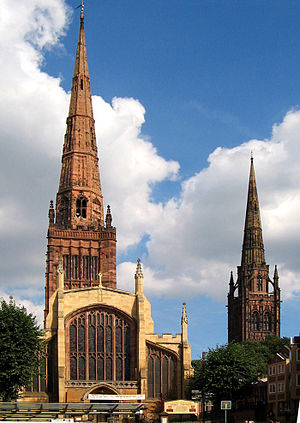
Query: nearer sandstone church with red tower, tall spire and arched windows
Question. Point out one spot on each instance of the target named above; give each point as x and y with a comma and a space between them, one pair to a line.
100, 339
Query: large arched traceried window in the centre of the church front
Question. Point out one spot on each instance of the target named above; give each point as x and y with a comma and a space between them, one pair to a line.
101, 343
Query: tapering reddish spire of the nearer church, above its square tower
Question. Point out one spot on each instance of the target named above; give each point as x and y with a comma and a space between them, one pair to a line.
79, 198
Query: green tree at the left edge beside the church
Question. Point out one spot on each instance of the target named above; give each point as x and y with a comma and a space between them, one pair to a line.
20, 343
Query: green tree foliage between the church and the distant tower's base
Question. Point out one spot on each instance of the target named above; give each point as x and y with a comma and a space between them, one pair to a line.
229, 370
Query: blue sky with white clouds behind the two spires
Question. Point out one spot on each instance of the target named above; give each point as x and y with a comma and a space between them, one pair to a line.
198, 85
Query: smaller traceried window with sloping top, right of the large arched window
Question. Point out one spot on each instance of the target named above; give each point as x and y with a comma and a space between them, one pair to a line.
162, 368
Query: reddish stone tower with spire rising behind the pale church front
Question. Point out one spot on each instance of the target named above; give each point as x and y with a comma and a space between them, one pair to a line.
77, 230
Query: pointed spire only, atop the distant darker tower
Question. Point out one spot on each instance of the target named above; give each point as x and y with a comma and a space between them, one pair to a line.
253, 247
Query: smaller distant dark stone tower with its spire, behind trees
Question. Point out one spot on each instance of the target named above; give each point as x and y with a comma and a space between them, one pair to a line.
254, 299
